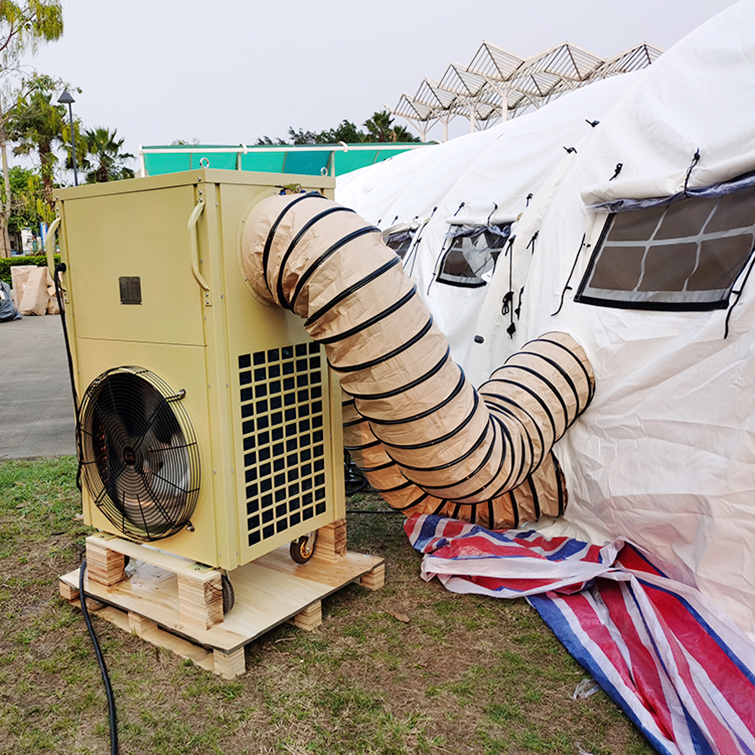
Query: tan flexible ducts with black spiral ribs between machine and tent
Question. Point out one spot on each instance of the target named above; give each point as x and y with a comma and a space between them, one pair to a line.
426, 439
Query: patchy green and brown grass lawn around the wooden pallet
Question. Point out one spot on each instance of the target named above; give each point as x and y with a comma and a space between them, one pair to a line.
451, 674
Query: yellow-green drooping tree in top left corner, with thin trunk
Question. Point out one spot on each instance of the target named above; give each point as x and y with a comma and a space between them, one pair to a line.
23, 25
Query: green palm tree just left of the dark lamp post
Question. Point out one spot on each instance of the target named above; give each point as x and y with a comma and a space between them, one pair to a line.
36, 126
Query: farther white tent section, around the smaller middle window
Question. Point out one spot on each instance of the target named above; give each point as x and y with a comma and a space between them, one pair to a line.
480, 180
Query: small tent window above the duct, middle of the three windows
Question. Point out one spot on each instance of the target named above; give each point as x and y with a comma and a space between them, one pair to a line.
472, 253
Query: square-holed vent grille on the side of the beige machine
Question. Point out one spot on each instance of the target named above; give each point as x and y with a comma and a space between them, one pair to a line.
283, 435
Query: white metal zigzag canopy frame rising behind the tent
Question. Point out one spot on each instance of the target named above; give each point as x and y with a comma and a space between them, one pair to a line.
500, 85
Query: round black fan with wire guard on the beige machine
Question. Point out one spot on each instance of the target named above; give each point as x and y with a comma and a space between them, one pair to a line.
139, 453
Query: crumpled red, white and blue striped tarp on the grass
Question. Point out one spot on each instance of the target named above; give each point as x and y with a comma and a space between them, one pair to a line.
682, 672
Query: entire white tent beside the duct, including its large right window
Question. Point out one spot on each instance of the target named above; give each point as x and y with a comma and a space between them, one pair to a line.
665, 455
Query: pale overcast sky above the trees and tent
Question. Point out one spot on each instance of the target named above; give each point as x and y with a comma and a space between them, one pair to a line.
228, 71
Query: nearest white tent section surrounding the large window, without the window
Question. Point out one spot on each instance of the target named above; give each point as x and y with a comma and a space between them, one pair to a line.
664, 456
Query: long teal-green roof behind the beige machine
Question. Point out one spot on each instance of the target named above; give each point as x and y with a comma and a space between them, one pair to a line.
301, 159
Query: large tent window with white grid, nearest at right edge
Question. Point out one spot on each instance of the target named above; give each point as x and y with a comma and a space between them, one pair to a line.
683, 255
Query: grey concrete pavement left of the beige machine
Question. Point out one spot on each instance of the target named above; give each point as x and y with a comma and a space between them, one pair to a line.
36, 408
